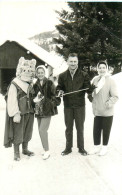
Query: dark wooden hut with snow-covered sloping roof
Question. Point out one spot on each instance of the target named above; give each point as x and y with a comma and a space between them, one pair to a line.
12, 50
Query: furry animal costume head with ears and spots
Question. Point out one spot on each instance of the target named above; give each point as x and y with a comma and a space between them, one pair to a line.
26, 69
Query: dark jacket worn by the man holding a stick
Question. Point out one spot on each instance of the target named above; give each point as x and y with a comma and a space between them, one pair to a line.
80, 81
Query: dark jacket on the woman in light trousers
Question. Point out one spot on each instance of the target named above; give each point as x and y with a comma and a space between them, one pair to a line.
50, 102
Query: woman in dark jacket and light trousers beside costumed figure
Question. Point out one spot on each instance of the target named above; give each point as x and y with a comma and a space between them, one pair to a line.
46, 107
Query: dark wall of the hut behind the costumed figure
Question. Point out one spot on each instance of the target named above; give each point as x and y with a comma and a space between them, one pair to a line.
10, 53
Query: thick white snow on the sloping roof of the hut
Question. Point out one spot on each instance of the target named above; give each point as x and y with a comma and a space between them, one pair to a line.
39, 52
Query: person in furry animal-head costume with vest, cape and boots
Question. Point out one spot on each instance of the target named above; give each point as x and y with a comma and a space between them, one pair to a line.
20, 108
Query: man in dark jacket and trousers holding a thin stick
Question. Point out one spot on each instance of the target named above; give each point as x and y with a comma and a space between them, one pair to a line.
72, 80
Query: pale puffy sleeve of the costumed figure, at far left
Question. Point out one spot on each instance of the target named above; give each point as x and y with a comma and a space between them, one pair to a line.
12, 102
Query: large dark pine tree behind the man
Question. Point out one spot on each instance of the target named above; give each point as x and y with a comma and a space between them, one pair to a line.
93, 30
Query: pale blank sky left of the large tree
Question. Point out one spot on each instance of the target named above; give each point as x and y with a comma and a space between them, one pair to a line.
28, 18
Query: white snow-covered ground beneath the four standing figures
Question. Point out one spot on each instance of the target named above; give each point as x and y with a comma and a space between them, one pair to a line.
68, 175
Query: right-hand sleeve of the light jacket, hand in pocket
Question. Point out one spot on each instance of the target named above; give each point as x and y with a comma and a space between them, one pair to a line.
113, 95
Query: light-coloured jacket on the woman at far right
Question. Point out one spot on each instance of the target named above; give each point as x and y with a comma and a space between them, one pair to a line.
104, 100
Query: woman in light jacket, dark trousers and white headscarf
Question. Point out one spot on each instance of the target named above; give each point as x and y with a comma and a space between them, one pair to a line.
104, 97
